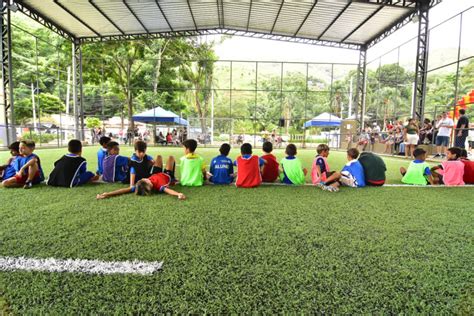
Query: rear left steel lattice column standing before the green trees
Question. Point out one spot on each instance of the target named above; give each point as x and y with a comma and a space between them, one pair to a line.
77, 88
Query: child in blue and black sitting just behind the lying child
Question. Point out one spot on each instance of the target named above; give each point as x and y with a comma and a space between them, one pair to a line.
140, 164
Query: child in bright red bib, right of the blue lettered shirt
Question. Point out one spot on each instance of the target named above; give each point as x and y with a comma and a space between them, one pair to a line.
248, 168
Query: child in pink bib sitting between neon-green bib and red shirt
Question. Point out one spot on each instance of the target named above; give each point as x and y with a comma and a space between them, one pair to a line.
451, 171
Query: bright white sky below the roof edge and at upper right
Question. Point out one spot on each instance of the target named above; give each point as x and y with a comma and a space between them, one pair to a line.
242, 48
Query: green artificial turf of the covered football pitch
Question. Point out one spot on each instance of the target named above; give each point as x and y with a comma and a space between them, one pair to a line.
272, 249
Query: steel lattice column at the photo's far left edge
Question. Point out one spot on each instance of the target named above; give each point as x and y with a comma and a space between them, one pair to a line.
7, 116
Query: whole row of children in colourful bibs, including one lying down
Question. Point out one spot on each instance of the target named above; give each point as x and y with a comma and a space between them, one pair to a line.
146, 175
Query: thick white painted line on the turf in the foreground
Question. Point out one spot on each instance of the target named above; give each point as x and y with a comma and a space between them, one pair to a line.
79, 265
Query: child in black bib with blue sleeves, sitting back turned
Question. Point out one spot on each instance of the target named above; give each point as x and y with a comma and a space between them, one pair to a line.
71, 169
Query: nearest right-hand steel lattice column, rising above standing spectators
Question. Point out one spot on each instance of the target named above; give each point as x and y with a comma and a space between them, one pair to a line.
423, 8
